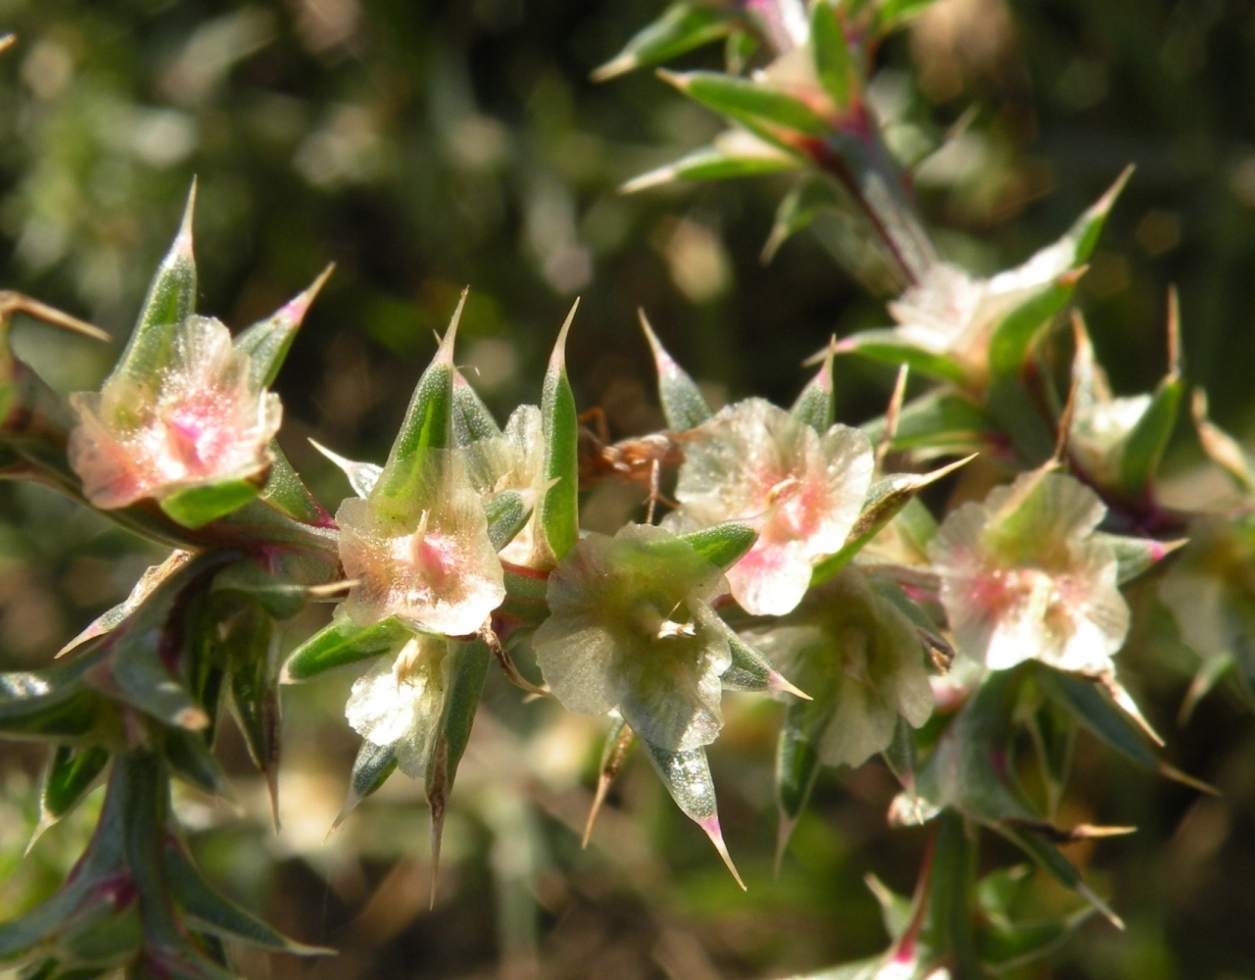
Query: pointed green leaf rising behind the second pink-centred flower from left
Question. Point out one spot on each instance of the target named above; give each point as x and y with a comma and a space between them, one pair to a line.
429, 426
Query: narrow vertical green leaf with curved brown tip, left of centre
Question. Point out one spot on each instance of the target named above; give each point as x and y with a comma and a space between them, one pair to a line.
560, 504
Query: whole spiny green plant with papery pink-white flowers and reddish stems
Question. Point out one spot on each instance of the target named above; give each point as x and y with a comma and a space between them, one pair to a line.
791, 555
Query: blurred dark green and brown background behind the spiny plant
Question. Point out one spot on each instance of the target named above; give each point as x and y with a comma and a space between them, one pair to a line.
427, 146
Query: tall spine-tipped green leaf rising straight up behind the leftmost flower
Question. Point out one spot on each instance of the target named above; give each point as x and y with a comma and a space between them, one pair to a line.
171, 299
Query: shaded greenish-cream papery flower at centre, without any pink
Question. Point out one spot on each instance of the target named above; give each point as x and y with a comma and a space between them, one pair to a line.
632, 628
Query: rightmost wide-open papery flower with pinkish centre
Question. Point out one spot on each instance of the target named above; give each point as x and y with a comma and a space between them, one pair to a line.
1023, 578
